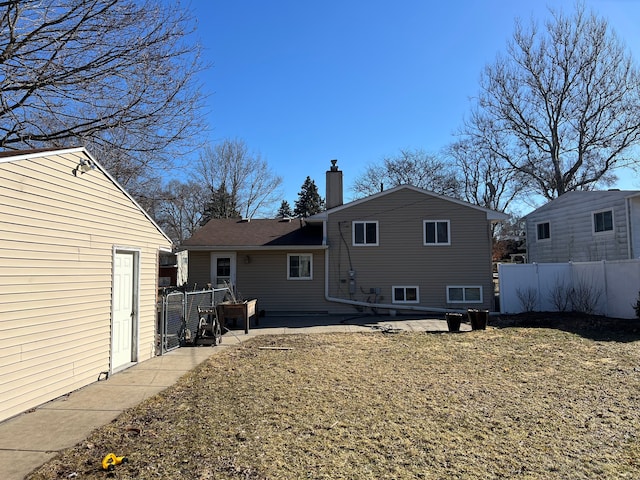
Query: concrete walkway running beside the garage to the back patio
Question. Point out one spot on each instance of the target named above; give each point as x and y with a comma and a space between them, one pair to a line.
29, 440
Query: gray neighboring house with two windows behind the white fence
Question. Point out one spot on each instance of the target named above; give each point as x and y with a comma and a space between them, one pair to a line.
584, 227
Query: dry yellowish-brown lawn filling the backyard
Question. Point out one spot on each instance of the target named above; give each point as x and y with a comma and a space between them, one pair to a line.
525, 403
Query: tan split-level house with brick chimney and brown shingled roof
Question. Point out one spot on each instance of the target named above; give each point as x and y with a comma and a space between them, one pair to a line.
401, 249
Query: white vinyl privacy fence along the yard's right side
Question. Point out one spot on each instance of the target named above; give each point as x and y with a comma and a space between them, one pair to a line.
607, 288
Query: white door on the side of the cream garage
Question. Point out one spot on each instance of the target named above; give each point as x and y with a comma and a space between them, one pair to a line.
123, 309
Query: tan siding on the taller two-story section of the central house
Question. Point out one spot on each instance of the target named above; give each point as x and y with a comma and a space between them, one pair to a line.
402, 259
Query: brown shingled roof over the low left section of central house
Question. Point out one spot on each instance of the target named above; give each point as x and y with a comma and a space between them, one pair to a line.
225, 232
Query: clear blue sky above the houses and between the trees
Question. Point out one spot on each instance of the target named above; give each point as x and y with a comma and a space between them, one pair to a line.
303, 82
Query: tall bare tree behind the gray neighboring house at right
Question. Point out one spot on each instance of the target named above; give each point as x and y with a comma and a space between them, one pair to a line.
561, 107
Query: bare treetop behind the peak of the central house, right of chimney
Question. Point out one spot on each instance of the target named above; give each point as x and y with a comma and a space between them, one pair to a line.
409, 167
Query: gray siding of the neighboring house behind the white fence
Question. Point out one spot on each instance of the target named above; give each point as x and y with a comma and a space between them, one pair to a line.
571, 230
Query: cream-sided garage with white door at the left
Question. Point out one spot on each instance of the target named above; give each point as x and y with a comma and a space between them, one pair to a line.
78, 276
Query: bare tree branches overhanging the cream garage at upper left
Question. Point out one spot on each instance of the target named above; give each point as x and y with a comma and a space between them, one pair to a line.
117, 76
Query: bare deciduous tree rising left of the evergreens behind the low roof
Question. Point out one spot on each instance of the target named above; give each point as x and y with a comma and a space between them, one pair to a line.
244, 179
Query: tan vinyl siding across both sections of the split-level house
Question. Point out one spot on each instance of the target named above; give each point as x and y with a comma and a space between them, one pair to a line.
400, 259
